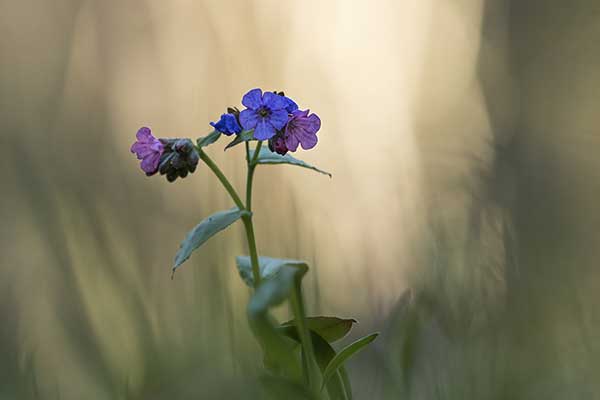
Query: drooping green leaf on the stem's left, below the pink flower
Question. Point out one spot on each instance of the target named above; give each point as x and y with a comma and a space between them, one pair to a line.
204, 231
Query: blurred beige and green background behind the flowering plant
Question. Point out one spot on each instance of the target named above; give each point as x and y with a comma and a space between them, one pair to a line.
461, 220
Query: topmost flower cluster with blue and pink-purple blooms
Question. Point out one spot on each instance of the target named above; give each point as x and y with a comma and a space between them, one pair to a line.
273, 117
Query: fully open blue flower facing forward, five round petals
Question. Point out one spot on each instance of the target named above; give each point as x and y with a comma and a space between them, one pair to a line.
265, 113
